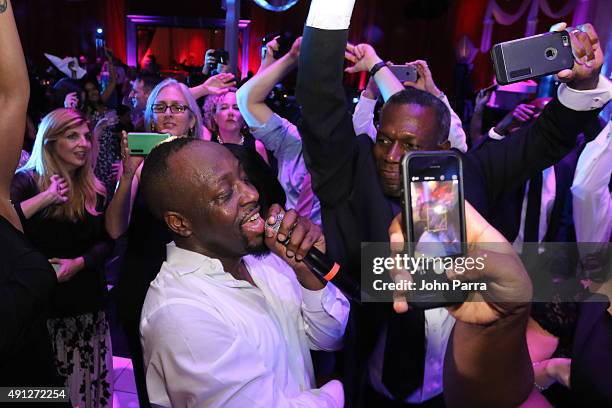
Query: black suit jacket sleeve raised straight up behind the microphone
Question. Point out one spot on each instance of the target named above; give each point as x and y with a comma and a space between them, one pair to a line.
326, 127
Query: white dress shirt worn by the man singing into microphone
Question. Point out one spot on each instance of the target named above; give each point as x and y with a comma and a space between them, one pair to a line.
210, 340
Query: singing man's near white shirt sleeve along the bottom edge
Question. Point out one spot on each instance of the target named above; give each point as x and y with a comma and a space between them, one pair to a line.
211, 366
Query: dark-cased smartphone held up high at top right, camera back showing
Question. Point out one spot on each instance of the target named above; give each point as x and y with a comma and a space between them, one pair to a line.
532, 57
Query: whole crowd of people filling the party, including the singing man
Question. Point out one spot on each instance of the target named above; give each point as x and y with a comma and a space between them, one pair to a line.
211, 230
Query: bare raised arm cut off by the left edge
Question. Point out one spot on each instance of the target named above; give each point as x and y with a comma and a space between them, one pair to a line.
14, 95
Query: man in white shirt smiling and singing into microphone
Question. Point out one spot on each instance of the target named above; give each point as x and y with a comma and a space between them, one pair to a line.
231, 317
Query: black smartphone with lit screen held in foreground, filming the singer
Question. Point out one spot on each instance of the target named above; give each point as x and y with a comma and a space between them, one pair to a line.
434, 215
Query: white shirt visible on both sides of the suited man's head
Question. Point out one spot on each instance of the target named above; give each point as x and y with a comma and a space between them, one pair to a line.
363, 122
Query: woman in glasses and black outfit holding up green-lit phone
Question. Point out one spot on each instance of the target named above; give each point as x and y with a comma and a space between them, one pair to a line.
171, 109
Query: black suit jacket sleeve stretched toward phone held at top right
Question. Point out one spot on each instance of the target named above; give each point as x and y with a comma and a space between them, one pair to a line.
509, 163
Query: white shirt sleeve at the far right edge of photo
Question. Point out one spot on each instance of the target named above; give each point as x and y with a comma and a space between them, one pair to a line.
592, 204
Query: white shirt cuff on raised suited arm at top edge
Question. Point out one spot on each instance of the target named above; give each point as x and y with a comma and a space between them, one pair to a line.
330, 14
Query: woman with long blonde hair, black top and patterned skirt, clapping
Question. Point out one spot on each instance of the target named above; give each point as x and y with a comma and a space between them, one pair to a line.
59, 202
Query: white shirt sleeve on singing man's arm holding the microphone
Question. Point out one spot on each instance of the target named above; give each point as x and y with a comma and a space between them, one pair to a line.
325, 313
